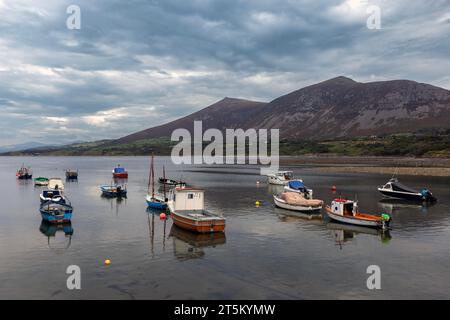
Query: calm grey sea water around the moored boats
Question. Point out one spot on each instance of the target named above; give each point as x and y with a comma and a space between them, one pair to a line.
264, 254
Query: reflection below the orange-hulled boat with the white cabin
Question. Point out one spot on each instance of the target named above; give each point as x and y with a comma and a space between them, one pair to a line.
188, 245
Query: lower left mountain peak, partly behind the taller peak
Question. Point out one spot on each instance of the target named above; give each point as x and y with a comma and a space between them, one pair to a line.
227, 113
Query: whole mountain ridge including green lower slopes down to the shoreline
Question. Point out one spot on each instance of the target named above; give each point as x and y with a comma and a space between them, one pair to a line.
338, 116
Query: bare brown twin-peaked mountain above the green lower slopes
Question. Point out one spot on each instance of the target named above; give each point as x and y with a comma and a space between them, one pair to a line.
336, 108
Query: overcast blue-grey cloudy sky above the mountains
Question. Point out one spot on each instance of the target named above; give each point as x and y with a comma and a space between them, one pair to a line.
136, 64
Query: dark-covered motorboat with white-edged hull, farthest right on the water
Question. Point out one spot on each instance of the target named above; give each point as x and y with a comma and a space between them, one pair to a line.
394, 189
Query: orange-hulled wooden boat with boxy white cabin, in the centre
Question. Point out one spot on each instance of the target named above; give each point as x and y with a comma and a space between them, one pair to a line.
188, 212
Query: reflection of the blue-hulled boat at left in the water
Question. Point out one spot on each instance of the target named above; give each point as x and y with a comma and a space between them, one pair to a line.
53, 233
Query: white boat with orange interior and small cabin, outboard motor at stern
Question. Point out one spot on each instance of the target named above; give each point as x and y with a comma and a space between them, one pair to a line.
346, 211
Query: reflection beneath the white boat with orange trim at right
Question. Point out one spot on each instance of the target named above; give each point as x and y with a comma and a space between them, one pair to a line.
343, 233
